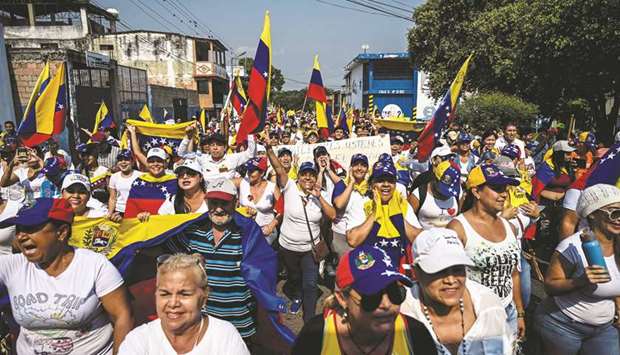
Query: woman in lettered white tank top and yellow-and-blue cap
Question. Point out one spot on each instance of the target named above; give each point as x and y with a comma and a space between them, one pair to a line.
490, 240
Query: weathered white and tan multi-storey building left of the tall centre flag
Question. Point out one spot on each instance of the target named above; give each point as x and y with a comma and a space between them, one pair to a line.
185, 73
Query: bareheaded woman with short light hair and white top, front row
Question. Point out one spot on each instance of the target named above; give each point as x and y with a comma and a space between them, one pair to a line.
181, 328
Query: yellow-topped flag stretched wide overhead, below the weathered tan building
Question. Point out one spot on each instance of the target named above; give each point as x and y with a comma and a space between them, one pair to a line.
151, 135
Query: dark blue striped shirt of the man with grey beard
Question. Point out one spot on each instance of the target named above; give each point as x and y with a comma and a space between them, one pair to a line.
229, 296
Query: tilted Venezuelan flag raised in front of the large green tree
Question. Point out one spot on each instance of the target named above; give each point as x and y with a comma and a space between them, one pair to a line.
442, 115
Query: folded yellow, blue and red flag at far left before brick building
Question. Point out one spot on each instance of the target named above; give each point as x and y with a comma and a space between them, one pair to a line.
45, 114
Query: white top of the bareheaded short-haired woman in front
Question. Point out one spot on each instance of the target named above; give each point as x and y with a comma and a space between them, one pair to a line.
221, 337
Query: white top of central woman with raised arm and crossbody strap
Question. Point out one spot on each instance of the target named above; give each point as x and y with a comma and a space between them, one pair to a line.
294, 233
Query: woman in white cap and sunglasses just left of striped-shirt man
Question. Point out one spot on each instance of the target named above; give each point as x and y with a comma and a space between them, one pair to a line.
191, 193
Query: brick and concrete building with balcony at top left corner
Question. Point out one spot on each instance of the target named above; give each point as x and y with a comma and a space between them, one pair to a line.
36, 33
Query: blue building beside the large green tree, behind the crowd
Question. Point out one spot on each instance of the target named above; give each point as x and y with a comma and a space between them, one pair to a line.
383, 79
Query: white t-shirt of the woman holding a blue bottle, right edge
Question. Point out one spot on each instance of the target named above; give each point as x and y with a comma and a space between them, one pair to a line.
590, 305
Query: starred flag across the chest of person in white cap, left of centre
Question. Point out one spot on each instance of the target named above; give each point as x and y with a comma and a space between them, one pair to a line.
148, 193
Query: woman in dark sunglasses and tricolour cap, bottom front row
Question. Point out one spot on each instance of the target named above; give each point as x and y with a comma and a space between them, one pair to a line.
362, 316
